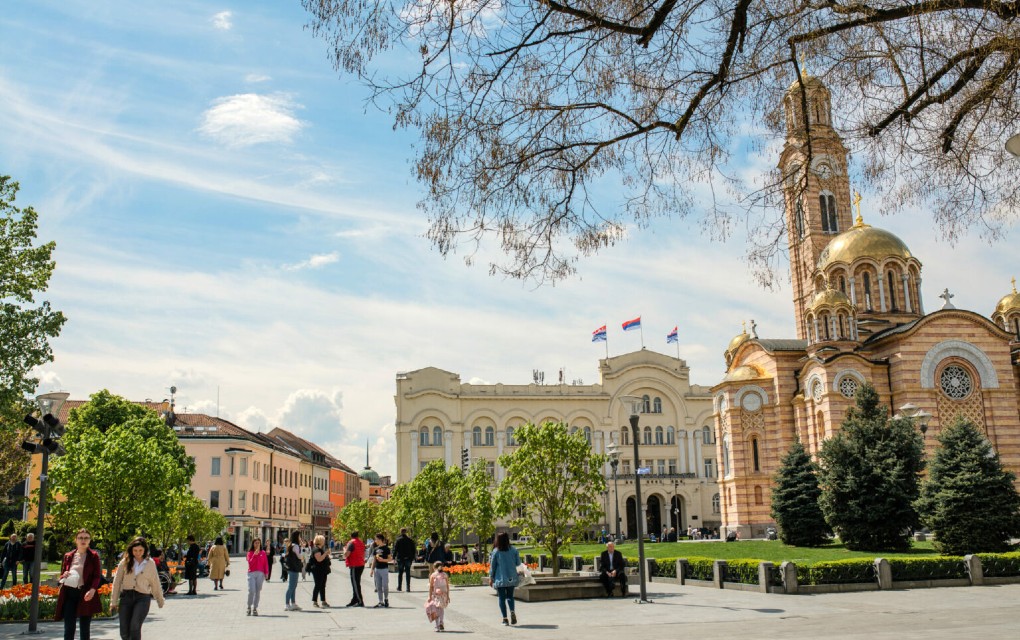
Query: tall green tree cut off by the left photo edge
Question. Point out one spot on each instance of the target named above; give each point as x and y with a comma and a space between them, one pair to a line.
26, 327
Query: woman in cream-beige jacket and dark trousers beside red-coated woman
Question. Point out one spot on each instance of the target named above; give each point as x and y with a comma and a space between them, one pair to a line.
135, 585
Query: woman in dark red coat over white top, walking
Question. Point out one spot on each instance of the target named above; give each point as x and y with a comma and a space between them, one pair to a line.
80, 576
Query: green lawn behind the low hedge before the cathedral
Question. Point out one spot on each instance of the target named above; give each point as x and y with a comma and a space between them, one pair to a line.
759, 550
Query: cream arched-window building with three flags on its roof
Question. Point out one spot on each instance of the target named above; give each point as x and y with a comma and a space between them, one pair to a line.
439, 417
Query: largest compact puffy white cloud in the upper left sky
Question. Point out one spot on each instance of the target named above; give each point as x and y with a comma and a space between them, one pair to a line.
251, 119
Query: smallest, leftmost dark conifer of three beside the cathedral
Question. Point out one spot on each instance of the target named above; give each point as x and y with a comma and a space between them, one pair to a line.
795, 501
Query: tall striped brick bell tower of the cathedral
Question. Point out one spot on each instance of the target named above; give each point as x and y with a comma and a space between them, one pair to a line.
817, 188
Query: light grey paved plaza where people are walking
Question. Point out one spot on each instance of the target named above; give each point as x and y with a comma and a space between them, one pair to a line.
962, 614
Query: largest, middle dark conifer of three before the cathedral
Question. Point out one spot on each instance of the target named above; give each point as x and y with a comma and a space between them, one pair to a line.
871, 474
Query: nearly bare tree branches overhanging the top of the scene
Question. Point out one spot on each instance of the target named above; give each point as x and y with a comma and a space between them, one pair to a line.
535, 114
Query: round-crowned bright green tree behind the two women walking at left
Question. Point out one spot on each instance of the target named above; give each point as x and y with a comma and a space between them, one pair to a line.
116, 481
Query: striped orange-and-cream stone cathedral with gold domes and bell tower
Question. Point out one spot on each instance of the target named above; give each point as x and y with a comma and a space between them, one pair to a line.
860, 319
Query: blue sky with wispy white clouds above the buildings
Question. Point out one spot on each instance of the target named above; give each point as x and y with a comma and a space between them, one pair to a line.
232, 219
